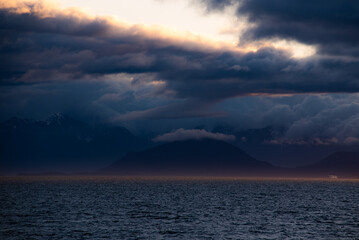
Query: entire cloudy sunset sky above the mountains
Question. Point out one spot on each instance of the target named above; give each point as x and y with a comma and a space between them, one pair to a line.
167, 67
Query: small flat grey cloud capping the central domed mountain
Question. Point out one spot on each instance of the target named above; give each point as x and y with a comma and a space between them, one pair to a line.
190, 134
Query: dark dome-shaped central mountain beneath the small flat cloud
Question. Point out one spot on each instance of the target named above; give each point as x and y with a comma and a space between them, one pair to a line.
191, 157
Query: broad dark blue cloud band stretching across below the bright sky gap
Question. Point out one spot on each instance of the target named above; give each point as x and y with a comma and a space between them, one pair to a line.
66, 47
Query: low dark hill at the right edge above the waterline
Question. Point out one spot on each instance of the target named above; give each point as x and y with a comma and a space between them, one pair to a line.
341, 164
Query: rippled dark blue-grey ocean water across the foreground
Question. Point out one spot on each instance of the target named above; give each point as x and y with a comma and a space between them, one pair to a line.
178, 209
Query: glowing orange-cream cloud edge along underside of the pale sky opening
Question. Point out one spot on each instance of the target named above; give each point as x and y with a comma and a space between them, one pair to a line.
185, 39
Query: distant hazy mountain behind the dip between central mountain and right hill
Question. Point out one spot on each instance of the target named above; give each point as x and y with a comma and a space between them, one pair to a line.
262, 143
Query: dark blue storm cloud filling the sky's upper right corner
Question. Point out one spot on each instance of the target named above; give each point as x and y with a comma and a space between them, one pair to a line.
331, 25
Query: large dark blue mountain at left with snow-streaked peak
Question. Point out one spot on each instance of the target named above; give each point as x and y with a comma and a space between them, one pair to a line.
60, 143
